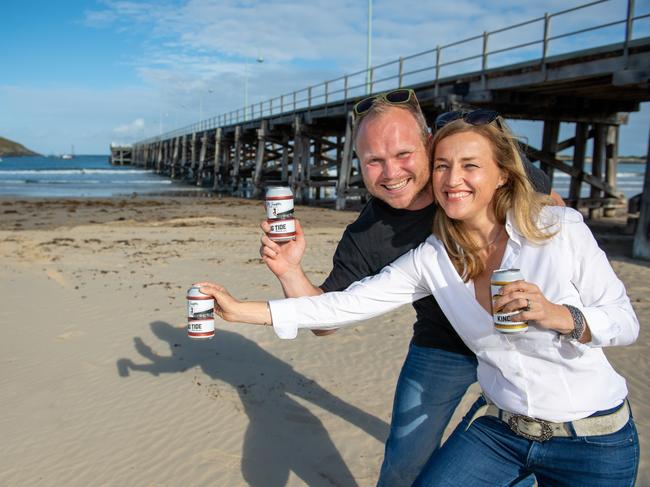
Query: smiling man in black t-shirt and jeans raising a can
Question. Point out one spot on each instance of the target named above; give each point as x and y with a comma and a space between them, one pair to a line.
391, 141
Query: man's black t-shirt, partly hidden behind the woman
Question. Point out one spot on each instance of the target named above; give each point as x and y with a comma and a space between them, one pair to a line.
379, 236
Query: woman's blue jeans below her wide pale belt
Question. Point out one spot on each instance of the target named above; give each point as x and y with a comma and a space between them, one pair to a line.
488, 453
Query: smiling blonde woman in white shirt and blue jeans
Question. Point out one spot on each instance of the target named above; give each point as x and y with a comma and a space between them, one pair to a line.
552, 405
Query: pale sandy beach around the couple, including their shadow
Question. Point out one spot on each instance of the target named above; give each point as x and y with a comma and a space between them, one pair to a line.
101, 386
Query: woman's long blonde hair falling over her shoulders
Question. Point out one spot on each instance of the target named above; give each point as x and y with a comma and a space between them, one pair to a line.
516, 194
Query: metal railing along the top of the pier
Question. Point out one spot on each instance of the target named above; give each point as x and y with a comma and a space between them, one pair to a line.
471, 55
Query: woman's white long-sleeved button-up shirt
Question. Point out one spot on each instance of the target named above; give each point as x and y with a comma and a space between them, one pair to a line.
538, 373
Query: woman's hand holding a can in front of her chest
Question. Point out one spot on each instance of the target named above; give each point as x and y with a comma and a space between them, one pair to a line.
527, 297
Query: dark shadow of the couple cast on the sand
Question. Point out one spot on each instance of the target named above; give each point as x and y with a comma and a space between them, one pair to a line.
265, 384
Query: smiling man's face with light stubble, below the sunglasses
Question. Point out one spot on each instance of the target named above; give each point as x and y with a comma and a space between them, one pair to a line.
394, 161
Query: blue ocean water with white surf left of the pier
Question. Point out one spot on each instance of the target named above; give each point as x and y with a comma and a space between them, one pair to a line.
81, 177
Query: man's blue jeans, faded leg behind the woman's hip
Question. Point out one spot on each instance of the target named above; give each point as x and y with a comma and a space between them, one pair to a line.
430, 386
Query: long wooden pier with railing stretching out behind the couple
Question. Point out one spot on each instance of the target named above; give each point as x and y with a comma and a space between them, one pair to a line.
303, 139
